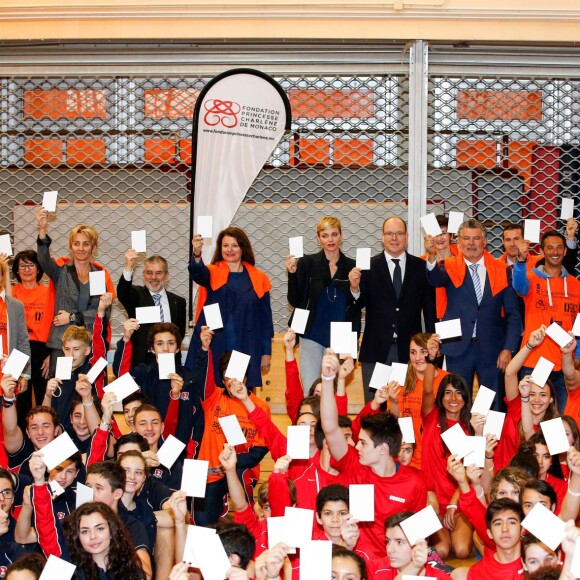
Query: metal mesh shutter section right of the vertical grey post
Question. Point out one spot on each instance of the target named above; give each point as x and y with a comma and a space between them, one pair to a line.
503, 148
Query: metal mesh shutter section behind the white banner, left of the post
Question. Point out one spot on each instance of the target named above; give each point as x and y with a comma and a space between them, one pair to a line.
118, 151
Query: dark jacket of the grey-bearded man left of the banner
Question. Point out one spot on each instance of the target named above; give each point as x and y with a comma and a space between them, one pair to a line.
131, 297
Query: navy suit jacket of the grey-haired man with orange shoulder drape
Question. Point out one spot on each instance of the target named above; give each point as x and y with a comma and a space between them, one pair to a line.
499, 323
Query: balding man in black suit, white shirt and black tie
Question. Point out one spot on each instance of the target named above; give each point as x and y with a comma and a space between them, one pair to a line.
395, 294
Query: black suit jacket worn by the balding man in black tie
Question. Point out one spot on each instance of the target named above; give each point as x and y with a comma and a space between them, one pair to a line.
386, 315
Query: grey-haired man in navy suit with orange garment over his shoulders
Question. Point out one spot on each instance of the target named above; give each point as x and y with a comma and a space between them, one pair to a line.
480, 294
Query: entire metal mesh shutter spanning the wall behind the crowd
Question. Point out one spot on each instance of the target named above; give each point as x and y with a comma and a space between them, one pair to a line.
502, 146
